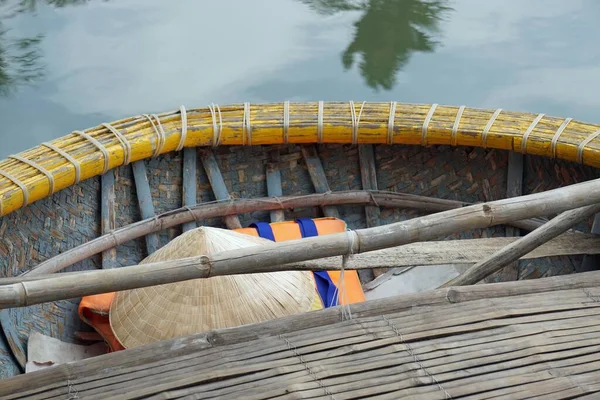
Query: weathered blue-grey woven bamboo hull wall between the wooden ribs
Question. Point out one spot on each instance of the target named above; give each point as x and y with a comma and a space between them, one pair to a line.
72, 216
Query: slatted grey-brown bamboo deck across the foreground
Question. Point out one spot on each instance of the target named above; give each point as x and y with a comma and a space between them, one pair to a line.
518, 340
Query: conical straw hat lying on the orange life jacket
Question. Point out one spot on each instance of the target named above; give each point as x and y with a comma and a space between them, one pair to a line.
149, 314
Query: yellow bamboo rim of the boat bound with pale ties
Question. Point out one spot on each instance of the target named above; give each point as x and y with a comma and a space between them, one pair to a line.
141, 137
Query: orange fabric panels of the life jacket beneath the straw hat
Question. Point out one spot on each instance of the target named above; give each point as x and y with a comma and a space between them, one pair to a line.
94, 309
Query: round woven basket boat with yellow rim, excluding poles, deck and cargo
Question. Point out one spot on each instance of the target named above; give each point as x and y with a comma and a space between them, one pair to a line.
110, 195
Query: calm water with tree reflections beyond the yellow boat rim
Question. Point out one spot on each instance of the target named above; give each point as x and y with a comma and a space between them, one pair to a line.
72, 64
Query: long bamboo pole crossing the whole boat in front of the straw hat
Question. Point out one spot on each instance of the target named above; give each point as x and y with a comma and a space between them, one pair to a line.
272, 257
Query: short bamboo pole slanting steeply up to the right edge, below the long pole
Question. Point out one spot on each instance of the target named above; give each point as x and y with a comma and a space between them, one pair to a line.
524, 245
